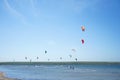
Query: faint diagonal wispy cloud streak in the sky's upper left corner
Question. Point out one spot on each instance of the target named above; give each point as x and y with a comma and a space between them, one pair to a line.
14, 12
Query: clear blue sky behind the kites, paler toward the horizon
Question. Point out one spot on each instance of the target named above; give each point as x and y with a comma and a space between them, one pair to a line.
29, 27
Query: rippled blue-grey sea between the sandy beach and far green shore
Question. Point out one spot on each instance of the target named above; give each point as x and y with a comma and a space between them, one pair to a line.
62, 71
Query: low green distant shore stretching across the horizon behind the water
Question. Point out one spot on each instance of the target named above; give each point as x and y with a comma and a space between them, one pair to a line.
56, 63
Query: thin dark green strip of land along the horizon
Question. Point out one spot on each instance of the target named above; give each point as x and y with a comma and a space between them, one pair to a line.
59, 63
